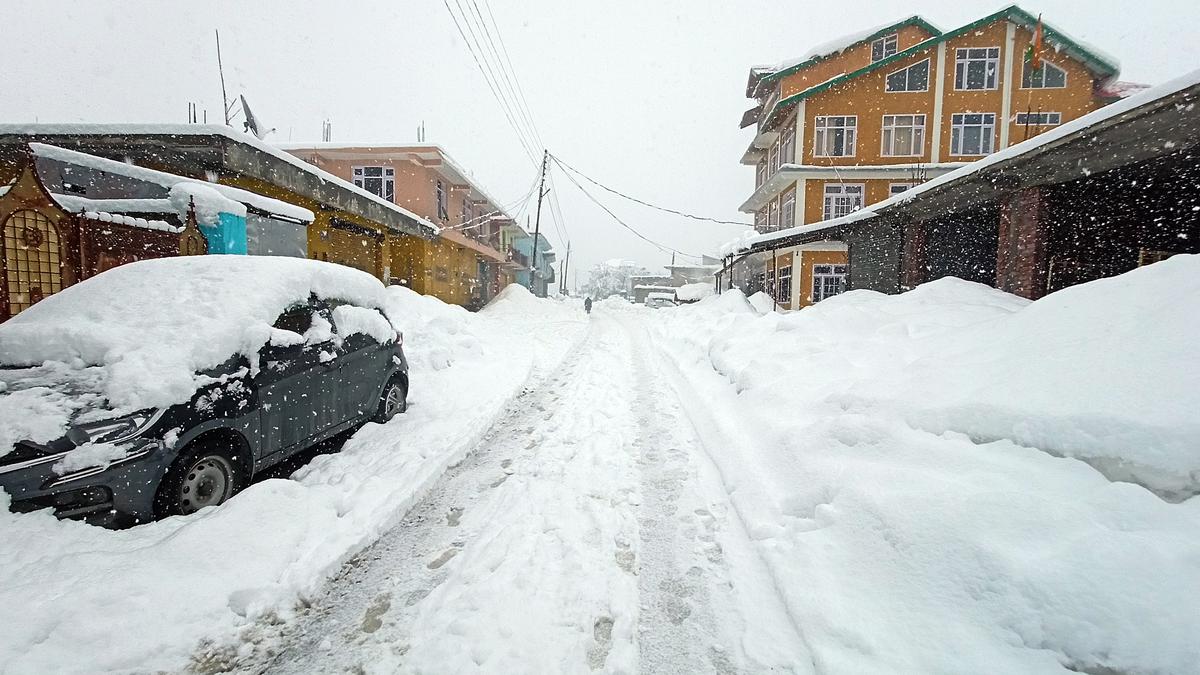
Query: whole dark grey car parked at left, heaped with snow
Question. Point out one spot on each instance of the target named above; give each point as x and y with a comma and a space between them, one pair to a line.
163, 387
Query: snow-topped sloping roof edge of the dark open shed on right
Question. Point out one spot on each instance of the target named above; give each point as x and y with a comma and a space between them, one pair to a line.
1027, 147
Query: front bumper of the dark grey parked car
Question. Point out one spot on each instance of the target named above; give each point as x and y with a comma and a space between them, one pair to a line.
105, 495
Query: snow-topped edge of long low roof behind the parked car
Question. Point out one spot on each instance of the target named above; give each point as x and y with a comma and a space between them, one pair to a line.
187, 130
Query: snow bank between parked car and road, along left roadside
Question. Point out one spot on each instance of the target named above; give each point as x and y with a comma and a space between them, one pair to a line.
190, 590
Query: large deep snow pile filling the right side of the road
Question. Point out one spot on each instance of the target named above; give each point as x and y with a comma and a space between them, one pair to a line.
958, 481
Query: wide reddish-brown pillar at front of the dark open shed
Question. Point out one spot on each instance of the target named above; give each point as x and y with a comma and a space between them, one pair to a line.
1023, 249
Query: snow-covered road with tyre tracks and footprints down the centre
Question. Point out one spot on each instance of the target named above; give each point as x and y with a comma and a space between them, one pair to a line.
589, 531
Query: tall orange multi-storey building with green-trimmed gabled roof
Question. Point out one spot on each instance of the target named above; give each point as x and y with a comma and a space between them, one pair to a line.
867, 117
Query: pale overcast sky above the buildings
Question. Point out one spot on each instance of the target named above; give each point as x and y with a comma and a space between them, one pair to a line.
644, 97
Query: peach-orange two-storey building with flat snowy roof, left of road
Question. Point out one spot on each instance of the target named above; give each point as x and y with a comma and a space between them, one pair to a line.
465, 265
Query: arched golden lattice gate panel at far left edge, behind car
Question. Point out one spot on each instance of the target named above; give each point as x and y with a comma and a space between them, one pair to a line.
33, 260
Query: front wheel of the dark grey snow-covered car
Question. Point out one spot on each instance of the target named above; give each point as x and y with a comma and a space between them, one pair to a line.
206, 474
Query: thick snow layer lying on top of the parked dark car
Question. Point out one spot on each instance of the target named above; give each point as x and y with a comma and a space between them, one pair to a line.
154, 325
